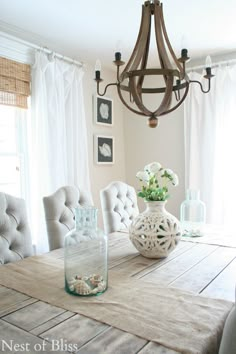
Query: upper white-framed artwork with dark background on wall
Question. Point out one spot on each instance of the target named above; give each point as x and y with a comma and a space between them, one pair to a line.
103, 110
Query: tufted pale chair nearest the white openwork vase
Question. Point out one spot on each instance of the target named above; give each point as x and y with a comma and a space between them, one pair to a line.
119, 206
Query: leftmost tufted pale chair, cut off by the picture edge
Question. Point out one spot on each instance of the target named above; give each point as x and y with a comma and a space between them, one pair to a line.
15, 236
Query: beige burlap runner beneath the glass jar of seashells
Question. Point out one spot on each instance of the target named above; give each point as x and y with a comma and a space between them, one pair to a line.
171, 317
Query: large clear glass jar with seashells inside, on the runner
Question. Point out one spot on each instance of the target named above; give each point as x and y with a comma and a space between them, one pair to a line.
86, 251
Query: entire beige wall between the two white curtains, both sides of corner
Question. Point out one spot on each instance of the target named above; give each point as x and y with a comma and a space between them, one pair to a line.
135, 144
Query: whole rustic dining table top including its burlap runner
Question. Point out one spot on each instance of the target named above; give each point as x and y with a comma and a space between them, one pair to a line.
151, 305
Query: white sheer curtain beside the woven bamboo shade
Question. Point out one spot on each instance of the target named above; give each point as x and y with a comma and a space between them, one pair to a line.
58, 135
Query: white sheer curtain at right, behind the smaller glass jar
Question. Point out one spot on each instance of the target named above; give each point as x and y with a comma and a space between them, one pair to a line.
210, 144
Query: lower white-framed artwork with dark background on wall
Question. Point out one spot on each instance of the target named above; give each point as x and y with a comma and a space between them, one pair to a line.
104, 149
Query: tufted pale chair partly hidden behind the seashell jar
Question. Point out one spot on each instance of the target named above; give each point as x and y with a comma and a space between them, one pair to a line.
59, 213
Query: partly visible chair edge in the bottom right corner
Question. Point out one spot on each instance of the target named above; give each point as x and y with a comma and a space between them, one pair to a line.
228, 341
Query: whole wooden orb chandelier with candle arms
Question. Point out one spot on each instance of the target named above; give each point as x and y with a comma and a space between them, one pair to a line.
175, 82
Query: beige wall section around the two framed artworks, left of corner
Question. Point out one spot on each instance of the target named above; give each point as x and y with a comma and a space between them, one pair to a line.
102, 175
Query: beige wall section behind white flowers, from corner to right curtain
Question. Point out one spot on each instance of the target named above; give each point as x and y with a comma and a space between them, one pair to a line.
164, 144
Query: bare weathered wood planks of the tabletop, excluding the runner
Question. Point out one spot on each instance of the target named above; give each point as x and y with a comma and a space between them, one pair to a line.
30, 325
